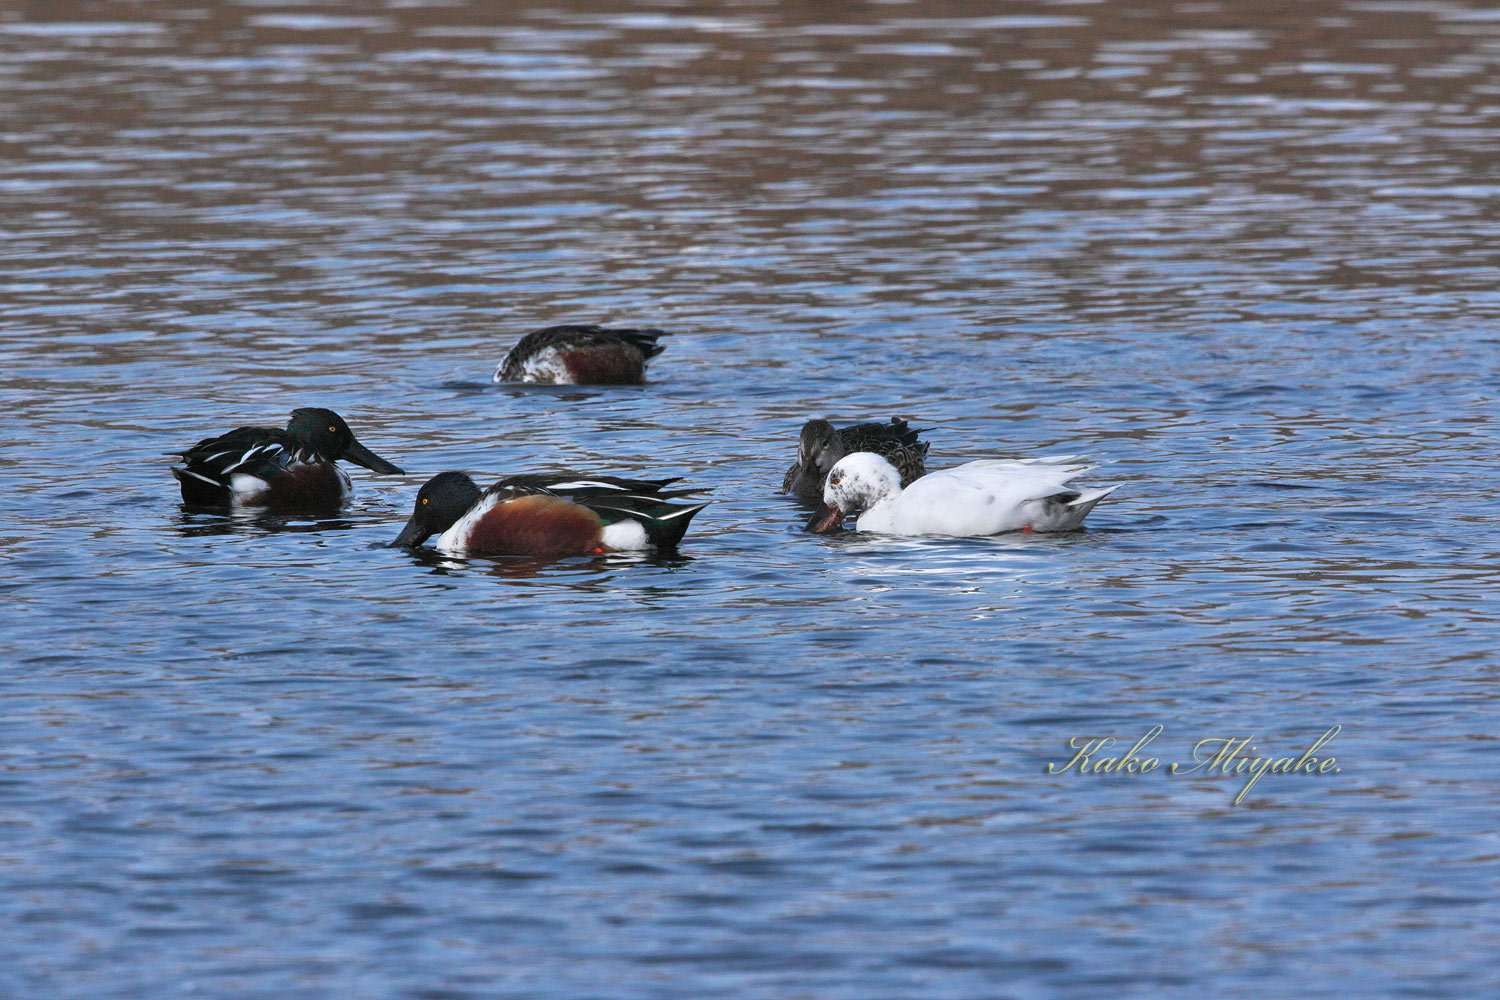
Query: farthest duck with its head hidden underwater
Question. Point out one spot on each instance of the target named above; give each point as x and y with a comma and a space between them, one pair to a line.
581, 356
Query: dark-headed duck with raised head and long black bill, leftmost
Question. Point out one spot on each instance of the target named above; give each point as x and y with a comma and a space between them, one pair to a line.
269, 467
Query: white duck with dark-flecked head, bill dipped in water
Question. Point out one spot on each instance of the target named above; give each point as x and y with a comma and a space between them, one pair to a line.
980, 499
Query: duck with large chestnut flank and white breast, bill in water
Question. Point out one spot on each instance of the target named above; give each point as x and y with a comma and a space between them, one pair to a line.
556, 515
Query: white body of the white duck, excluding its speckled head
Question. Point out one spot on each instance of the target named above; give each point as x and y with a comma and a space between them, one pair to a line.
985, 499
